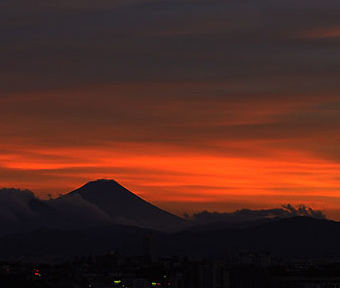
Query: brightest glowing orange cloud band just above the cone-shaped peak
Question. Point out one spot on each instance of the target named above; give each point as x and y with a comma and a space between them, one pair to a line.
194, 179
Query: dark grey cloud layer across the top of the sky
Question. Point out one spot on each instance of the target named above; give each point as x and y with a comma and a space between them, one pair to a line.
69, 44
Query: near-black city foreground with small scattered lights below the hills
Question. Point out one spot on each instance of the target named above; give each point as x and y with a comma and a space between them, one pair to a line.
245, 270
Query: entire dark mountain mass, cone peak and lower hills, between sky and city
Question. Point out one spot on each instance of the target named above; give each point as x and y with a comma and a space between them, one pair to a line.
102, 215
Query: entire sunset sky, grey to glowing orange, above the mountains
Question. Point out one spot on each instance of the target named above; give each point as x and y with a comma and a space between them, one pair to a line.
190, 104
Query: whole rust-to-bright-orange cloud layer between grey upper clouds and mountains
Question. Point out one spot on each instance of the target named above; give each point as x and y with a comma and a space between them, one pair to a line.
183, 153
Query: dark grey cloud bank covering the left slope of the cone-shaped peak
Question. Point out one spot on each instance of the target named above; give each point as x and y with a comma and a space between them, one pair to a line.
21, 210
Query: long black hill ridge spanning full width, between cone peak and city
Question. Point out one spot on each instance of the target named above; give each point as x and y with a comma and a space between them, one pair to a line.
293, 237
